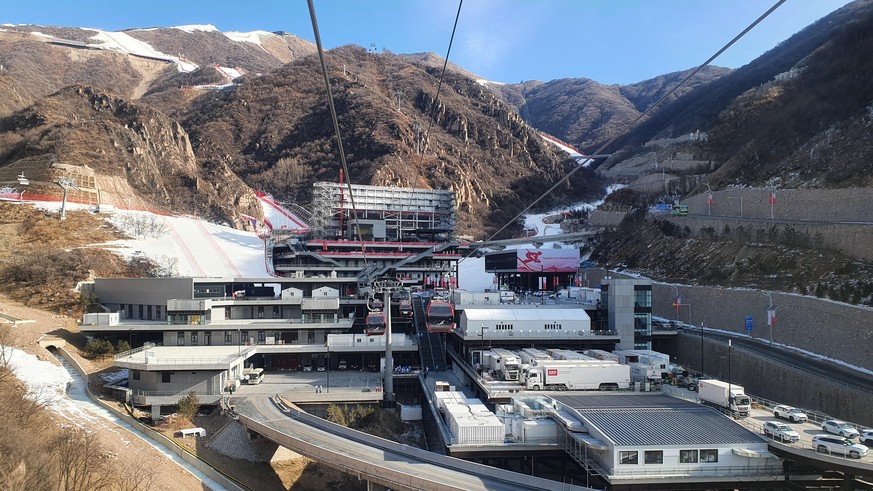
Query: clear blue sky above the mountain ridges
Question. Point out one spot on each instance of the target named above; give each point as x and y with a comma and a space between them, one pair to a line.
610, 41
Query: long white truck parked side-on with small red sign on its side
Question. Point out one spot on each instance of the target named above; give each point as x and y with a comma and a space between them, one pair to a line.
580, 375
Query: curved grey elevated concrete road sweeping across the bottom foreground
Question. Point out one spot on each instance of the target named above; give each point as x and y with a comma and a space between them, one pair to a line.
387, 463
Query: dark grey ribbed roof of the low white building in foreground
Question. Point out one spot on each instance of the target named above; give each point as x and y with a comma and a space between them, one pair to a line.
656, 420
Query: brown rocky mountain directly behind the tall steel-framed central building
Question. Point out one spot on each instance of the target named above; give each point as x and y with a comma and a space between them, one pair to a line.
275, 132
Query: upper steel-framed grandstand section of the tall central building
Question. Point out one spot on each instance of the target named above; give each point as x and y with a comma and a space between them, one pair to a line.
383, 213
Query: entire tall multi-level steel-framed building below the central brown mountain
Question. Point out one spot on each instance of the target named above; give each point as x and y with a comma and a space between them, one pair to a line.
404, 233
